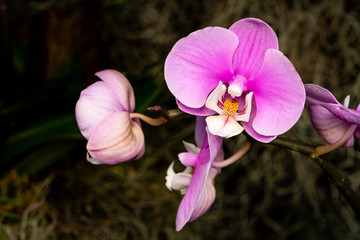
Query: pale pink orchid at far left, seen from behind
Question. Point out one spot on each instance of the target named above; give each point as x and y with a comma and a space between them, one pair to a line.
103, 116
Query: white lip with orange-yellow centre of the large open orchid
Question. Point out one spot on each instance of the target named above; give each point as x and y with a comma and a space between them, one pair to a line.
226, 123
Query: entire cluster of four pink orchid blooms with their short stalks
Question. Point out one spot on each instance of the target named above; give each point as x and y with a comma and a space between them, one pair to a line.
232, 80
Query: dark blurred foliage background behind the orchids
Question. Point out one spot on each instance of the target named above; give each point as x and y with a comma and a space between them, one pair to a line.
50, 53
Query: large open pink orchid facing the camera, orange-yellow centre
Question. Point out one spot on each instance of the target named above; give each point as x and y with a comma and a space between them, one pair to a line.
239, 74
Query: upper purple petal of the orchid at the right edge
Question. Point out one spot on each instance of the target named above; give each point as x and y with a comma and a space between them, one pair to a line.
317, 95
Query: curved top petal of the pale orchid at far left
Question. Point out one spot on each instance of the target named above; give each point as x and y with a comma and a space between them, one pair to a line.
120, 86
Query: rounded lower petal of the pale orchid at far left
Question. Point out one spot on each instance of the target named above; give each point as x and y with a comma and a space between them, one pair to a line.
116, 139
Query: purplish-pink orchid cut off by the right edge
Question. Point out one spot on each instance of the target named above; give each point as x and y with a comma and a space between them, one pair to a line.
336, 123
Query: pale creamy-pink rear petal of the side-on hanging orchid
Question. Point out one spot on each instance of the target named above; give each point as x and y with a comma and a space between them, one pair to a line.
207, 196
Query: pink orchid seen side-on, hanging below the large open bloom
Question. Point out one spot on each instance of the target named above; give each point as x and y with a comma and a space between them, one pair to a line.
197, 180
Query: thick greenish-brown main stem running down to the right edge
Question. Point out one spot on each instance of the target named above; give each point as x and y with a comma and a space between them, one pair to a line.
333, 173
